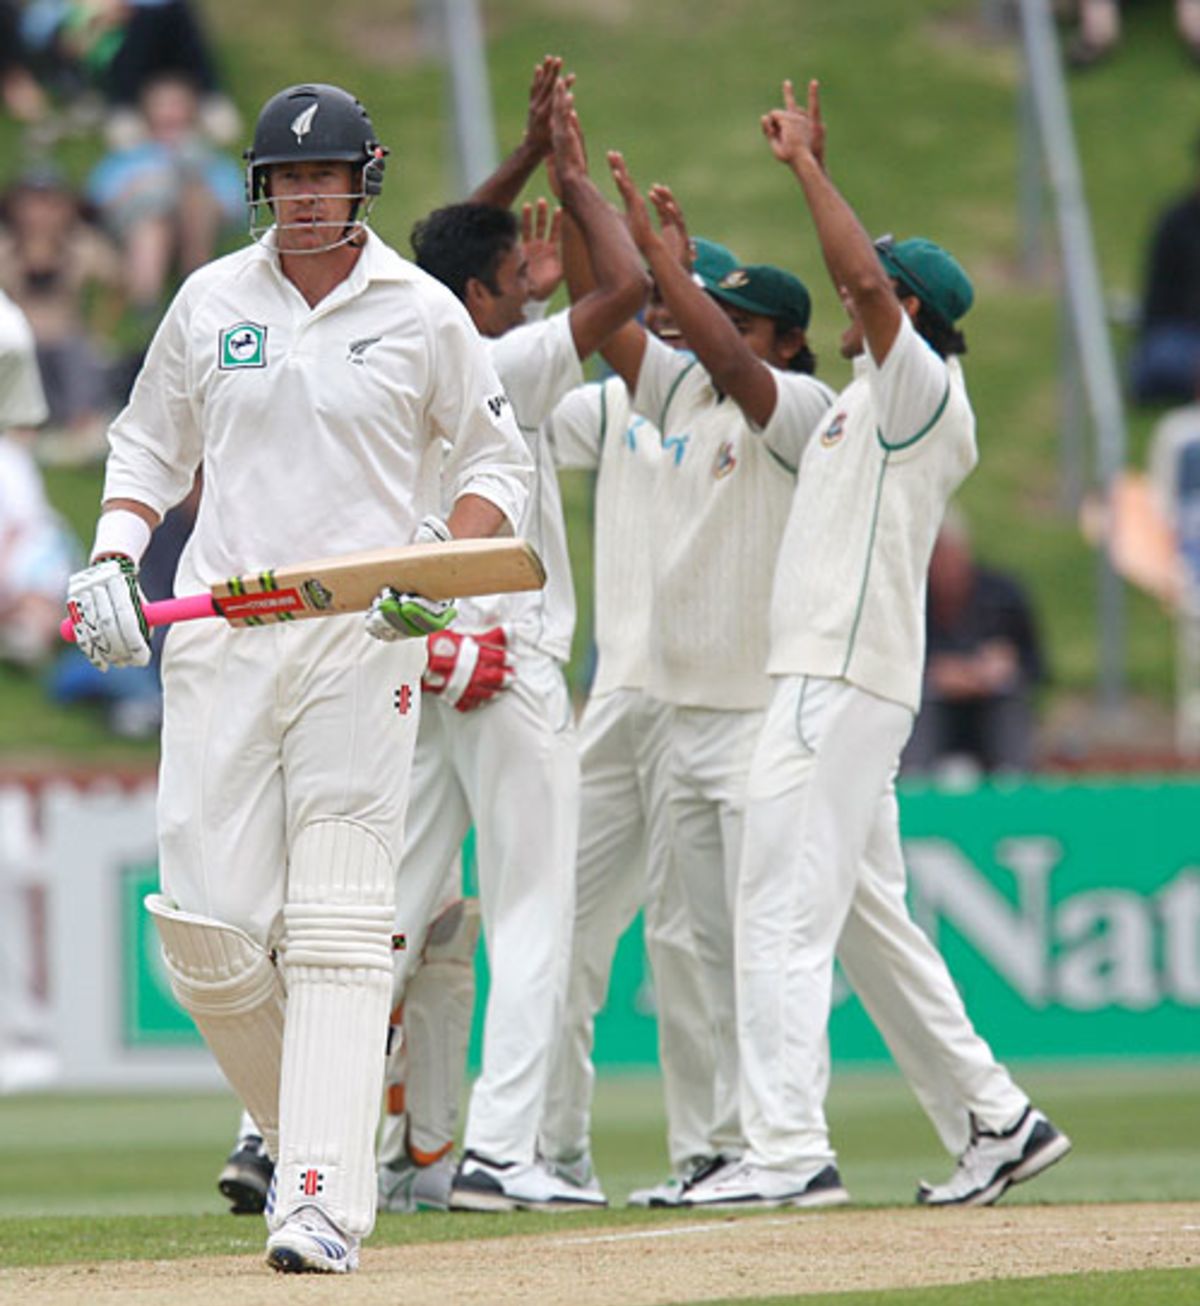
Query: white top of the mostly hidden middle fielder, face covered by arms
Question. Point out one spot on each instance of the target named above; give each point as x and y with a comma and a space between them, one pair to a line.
595, 426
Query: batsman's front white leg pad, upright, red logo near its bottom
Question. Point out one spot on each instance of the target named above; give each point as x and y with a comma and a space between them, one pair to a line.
338, 959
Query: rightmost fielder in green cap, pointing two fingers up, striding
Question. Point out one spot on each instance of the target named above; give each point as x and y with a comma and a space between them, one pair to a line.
822, 868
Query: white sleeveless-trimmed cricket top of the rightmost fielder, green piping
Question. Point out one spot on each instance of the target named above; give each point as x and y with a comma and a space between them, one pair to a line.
874, 483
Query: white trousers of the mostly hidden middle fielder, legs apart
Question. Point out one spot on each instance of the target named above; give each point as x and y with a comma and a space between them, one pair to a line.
624, 754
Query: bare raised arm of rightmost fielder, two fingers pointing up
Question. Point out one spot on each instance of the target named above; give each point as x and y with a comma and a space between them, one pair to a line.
797, 139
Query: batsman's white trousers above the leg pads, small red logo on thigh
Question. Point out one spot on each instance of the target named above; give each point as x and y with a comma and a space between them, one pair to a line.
264, 732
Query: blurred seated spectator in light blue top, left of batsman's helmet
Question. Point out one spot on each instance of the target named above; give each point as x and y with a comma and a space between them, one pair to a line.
169, 199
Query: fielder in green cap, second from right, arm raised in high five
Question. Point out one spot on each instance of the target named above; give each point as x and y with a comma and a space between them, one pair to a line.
734, 421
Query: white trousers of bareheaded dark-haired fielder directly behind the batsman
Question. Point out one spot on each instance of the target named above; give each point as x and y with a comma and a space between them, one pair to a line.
511, 769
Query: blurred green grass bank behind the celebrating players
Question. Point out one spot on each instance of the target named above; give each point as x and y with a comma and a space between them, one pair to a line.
921, 138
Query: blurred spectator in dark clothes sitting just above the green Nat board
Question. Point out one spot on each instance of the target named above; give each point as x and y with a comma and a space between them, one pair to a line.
983, 663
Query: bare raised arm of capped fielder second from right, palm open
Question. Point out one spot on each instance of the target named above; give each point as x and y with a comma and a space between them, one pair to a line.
729, 361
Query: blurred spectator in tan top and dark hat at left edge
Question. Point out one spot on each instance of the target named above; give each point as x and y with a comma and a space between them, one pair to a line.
66, 276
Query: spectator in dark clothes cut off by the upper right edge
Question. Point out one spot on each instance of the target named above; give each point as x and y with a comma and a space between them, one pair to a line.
1167, 358
